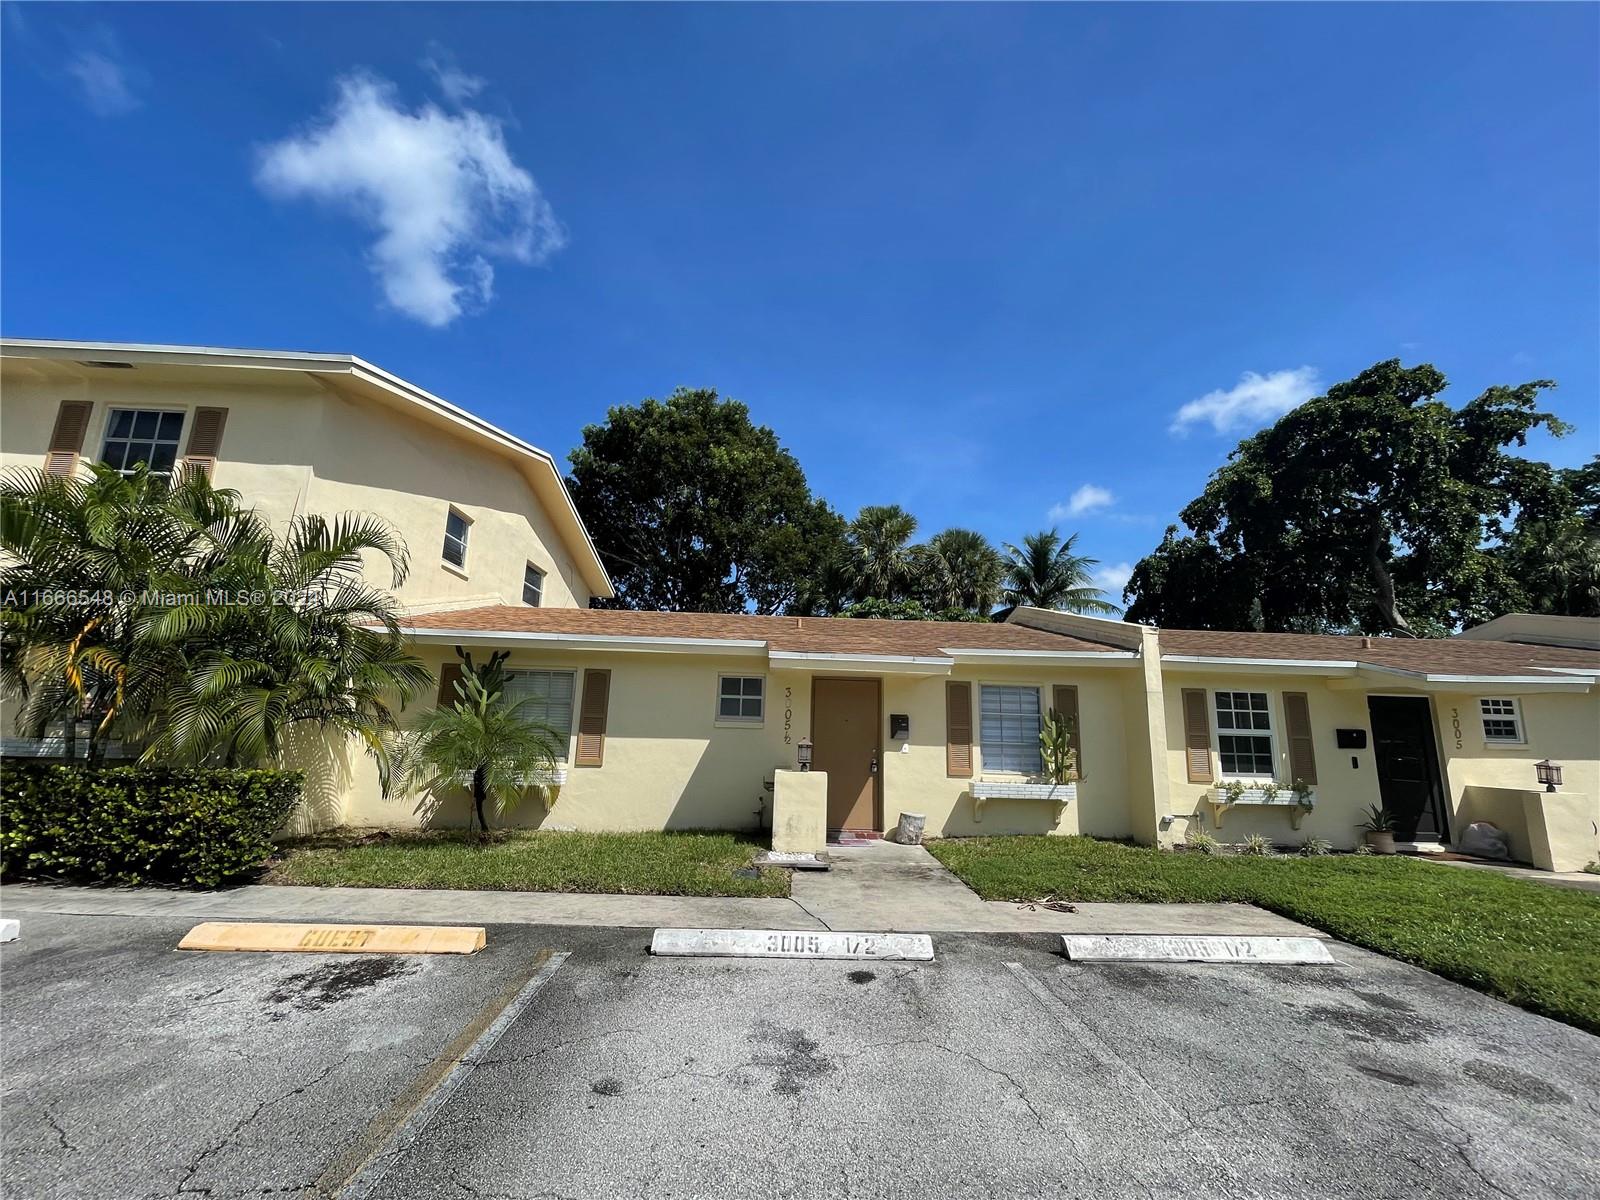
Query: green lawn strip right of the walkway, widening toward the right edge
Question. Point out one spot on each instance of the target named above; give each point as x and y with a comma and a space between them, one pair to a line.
1527, 943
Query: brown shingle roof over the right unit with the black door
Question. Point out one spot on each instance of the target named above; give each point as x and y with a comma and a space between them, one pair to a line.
1442, 657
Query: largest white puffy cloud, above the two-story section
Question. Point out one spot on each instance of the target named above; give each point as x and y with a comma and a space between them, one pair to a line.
441, 190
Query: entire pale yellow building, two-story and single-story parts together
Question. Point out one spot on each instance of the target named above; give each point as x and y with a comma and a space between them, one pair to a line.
679, 721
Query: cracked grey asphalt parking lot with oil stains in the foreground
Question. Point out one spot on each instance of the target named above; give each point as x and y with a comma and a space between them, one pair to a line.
998, 1071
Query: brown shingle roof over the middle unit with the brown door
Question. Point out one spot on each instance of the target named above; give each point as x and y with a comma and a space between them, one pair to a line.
809, 634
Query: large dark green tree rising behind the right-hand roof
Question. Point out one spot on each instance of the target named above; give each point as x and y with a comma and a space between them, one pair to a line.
1374, 508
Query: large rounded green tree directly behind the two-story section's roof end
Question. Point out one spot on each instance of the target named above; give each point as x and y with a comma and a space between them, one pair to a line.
695, 508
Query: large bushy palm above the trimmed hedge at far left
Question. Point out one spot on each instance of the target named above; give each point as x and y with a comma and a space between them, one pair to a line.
170, 617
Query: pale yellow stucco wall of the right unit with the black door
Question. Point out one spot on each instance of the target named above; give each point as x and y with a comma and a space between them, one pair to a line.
1564, 727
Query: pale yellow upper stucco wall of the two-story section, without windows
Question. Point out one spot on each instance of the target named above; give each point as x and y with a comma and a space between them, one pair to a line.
295, 446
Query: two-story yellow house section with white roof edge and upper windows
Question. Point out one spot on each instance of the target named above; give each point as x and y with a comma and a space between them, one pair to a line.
486, 516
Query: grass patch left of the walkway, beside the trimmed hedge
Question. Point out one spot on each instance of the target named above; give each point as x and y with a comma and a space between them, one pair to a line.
644, 865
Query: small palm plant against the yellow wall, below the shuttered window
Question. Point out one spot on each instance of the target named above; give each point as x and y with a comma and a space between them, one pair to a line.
481, 742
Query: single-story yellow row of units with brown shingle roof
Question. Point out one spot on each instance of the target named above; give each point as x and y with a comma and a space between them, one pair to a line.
679, 721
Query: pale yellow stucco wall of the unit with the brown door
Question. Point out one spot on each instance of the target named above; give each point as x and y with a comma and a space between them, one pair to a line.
670, 764
